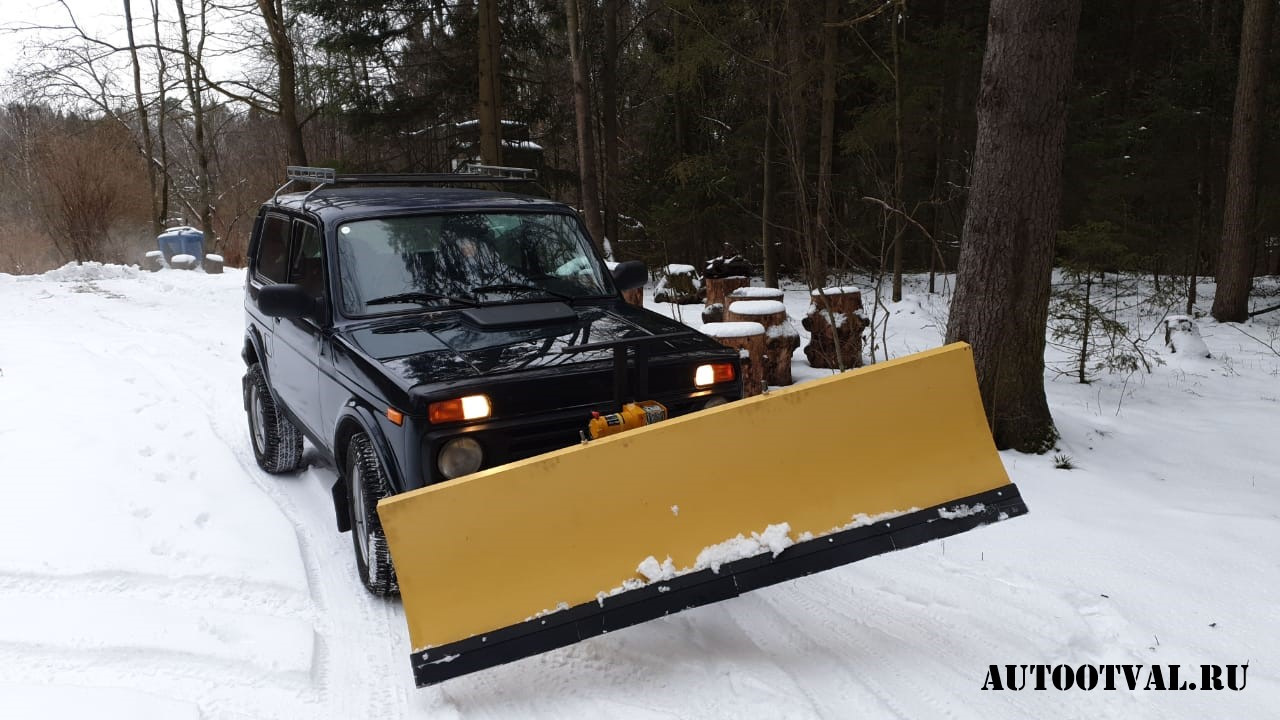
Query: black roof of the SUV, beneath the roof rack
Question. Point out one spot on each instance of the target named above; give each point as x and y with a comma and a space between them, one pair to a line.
339, 203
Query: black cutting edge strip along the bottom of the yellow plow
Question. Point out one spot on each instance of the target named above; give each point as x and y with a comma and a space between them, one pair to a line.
559, 630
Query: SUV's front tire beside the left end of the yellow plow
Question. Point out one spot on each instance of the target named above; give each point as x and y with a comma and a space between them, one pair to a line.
367, 485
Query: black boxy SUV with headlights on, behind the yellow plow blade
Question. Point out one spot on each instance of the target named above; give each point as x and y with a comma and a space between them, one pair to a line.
417, 330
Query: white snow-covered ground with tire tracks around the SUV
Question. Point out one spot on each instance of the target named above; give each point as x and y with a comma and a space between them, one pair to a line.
149, 569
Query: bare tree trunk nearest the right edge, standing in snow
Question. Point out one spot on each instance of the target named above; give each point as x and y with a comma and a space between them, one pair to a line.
1240, 224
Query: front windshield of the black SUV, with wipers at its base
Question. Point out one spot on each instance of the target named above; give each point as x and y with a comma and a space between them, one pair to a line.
392, 265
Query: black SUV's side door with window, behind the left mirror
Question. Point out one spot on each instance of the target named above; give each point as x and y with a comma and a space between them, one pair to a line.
296, 347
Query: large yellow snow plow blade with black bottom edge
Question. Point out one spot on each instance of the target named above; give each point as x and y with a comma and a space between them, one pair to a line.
543, 553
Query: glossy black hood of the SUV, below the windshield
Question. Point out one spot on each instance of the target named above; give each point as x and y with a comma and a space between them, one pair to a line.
454, 347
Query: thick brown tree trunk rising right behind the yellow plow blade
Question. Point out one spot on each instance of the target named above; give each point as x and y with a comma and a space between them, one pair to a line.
1007, 254
